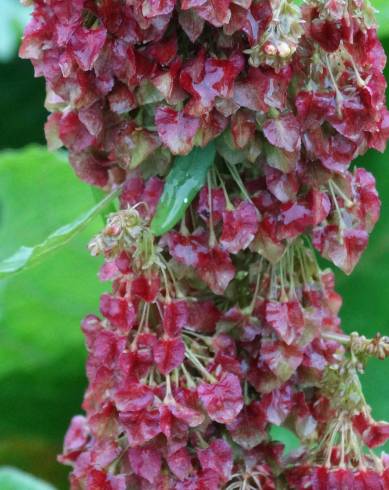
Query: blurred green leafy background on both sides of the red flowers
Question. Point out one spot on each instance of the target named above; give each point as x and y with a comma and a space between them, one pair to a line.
41, 347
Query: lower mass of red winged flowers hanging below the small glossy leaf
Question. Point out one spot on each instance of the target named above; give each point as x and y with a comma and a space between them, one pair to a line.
174, 380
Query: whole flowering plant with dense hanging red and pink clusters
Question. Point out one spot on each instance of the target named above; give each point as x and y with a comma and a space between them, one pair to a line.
227, 129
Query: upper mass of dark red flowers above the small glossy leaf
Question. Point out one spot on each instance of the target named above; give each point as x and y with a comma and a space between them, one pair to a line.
124, 78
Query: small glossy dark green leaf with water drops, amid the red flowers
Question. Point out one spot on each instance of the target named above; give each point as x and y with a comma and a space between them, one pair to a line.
184, 181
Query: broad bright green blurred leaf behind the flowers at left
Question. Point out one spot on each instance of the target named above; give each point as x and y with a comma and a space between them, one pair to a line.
41, 309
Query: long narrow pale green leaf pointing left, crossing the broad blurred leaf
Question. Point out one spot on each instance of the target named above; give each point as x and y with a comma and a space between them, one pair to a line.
27, 257
